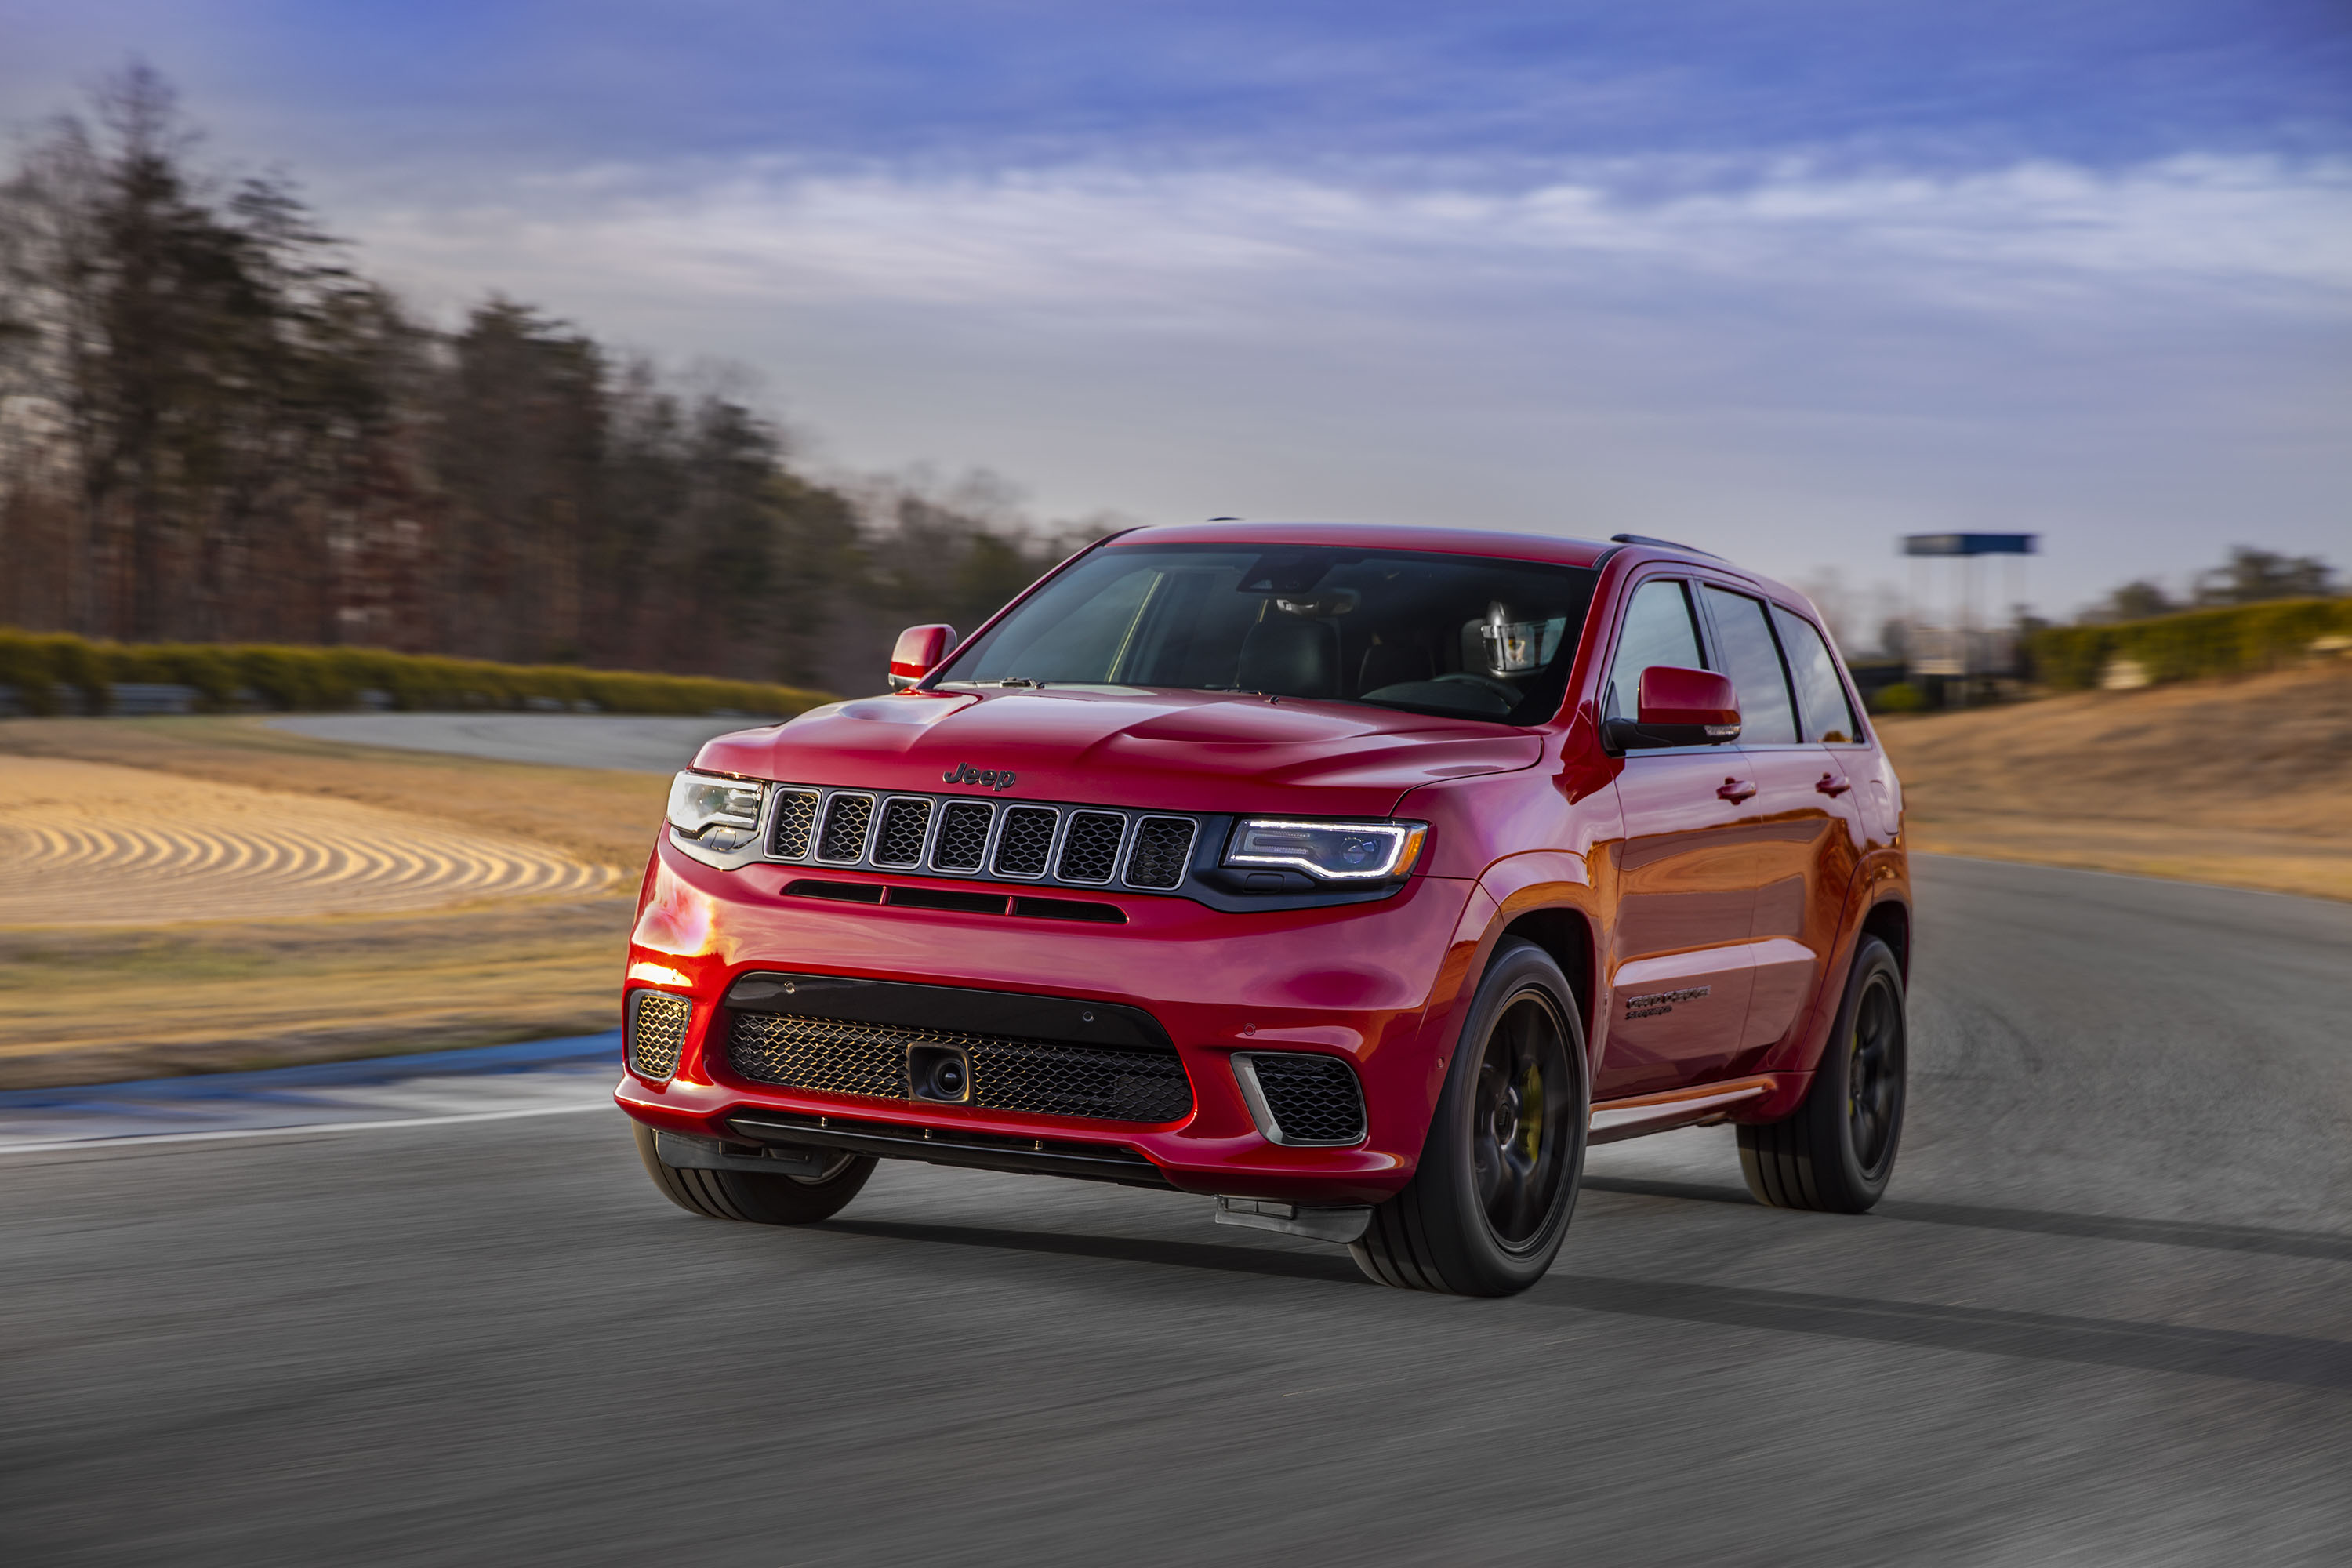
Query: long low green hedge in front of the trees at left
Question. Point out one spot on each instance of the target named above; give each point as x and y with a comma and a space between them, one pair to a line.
335, 678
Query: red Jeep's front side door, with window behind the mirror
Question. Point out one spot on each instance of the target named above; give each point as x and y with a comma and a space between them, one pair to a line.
1678, 965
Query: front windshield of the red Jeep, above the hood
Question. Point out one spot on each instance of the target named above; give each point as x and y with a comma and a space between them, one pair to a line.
1452, 636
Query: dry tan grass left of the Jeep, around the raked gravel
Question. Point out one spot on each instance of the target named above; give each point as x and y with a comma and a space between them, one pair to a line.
149, 1000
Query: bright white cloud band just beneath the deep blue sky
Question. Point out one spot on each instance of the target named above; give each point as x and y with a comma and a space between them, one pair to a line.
2247, 234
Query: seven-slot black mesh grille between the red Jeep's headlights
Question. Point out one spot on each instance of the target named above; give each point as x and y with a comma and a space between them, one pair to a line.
982, 838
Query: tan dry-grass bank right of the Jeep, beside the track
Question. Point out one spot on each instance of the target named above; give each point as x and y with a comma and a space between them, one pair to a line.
2233, 782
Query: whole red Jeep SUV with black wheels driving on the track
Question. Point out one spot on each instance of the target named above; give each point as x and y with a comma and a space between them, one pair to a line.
1354, 878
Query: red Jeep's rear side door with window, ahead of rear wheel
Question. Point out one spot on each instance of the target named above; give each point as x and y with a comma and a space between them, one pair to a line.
1800, 852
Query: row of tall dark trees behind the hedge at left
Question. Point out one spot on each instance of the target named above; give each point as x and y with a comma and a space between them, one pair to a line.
213, 427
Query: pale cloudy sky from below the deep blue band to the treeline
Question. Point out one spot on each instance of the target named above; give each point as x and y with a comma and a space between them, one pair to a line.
2144, 363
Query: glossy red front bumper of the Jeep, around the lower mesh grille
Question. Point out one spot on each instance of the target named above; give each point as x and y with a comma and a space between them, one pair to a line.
1356, 981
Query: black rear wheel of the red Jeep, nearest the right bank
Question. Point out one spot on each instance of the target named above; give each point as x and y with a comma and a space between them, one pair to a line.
1838, 1148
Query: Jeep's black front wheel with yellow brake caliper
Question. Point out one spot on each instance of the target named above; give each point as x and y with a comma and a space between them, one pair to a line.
1497, 1181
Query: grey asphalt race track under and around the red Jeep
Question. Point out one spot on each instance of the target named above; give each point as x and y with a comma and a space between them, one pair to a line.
2104, 1318
